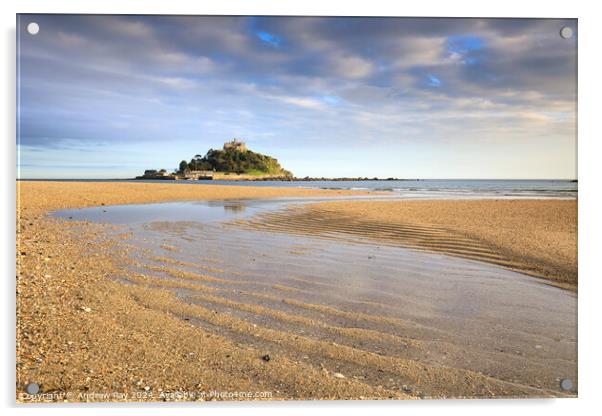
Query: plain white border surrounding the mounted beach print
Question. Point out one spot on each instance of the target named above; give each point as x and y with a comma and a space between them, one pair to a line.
589, 185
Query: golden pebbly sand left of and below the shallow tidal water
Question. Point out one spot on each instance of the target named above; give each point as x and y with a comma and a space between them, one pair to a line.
81, 333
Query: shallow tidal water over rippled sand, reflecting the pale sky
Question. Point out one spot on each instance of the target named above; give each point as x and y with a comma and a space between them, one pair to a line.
431, 308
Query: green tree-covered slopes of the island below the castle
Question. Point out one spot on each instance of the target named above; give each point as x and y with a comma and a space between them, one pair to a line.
235, 161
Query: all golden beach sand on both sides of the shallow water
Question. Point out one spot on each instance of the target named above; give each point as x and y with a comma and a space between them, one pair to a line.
91, 327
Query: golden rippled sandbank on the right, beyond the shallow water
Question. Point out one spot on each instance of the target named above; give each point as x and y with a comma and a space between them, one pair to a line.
536, 237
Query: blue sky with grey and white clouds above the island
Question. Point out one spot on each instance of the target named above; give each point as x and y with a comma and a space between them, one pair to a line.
110, 96
